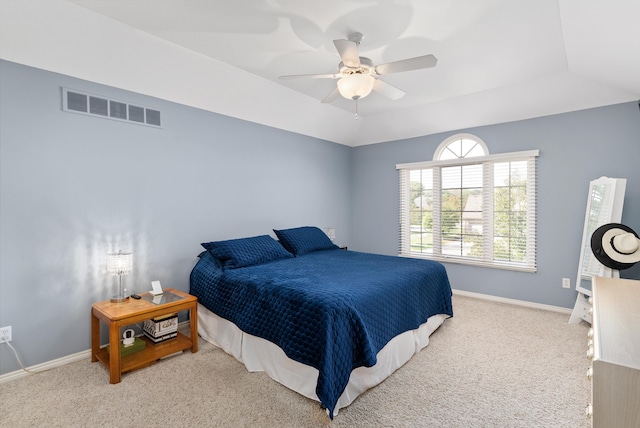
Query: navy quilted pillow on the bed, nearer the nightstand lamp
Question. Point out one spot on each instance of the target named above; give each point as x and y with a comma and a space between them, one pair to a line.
237, 253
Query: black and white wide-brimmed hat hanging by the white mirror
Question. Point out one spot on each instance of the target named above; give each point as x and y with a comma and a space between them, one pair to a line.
616, 246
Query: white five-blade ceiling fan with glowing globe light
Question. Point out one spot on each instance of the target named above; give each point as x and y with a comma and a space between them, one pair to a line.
358, 76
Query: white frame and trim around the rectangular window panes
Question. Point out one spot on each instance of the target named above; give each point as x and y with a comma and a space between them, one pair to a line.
405, 245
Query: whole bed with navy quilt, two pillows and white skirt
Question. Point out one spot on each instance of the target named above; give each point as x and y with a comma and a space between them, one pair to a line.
322, 321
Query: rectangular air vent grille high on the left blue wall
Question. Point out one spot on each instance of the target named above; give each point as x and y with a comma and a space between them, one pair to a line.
94, 105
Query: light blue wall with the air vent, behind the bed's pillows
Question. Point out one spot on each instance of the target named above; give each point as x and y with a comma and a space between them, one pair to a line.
74, 188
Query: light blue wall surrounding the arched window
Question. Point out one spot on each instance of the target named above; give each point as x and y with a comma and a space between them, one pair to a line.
575, 148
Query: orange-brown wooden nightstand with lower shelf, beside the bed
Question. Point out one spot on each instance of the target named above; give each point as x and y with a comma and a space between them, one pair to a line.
118, 315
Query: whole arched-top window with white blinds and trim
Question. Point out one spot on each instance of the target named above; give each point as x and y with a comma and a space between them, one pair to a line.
467, 206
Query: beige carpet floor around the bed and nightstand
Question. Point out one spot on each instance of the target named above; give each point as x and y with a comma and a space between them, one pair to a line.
492, 365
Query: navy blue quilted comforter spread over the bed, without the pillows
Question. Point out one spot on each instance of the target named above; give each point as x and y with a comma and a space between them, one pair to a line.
333, 310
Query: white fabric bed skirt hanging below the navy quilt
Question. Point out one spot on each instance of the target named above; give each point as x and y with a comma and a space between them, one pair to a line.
259, 354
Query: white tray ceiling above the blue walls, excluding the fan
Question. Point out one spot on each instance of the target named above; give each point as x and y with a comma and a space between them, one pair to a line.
498, 60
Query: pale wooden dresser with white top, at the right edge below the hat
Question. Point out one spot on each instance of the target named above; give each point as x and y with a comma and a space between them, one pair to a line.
614, 350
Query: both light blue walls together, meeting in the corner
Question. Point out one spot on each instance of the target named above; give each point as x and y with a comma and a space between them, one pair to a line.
74, 188
